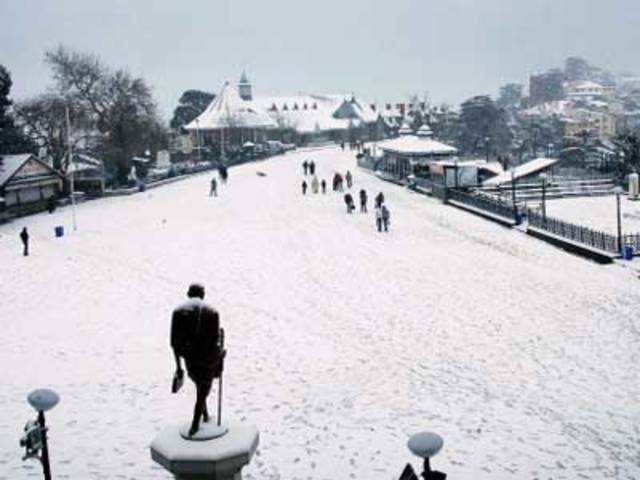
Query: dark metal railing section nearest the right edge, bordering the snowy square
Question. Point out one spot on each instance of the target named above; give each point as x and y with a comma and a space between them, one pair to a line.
577, 233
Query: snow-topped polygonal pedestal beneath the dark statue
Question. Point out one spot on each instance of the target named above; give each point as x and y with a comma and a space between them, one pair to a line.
221, 458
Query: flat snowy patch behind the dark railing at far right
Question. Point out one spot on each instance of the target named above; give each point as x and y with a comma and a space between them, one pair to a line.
599, 213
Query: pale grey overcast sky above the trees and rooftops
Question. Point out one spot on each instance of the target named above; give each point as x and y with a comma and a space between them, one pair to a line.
381, 50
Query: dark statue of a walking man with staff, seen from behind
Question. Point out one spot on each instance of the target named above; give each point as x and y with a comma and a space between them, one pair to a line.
197, 338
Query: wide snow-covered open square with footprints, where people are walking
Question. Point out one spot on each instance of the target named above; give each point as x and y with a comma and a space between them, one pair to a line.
342, 341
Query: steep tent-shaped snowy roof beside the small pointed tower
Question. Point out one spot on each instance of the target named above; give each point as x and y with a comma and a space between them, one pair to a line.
228, 109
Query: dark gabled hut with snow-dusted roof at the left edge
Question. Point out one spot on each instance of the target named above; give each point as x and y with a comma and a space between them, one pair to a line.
27, 184
